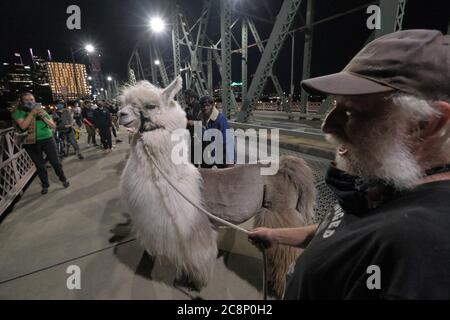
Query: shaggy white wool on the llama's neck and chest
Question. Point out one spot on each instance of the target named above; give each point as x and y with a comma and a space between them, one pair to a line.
165, 223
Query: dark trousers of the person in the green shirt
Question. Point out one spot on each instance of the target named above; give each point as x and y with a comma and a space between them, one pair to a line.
36, 151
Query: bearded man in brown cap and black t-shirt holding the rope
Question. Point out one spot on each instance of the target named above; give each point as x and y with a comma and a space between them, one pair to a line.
389, 236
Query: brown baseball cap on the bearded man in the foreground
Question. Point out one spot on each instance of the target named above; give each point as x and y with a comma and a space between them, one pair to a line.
412, 61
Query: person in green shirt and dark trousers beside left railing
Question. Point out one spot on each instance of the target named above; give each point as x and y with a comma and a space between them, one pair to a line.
29, 115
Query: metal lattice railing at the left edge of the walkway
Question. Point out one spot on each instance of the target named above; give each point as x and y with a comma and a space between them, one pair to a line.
16, 168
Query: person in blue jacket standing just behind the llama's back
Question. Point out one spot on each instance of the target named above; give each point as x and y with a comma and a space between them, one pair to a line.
213, 119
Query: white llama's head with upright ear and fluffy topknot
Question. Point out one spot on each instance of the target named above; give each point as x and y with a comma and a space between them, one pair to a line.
147, 108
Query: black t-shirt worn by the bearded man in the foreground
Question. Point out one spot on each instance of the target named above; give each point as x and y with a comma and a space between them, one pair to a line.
400, 250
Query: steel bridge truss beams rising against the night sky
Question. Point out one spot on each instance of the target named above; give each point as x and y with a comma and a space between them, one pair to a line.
204, 52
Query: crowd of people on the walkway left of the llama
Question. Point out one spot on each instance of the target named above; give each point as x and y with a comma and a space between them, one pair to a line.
43, 129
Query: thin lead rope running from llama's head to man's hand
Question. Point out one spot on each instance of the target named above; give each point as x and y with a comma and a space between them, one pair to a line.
209, 214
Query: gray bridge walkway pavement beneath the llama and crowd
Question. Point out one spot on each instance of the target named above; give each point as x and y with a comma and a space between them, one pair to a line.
86, 226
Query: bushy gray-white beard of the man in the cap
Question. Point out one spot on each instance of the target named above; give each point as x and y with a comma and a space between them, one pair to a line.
384, 159
